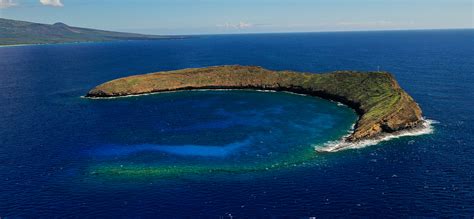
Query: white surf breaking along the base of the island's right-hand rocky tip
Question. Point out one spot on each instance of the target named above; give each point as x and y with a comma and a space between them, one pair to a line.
424, 128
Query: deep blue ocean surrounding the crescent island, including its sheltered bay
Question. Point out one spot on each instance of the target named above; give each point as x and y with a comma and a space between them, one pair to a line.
232, 153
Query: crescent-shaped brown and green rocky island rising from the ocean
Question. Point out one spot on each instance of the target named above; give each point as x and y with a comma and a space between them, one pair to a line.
382, 105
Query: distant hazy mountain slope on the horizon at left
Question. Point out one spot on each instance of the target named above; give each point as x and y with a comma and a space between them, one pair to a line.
14, 32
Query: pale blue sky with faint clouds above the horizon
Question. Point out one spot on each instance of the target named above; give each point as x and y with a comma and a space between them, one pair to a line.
244, 16
